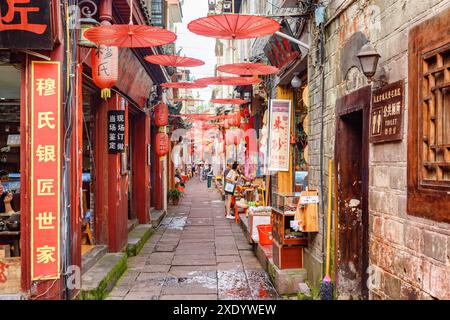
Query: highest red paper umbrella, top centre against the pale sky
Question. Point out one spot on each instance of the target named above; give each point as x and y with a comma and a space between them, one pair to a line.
234, 26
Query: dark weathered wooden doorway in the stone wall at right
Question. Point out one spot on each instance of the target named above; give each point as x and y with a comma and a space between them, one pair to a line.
352, 149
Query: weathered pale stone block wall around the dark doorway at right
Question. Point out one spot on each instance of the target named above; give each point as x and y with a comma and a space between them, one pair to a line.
410, 255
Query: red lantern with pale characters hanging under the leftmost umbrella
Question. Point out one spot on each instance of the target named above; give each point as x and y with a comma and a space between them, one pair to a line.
105, 68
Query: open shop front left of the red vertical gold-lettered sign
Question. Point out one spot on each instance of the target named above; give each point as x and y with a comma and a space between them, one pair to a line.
10, 174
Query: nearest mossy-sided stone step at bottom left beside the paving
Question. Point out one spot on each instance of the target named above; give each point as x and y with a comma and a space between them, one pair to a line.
97, 282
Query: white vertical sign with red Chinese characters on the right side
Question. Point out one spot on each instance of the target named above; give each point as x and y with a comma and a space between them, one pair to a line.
279, 135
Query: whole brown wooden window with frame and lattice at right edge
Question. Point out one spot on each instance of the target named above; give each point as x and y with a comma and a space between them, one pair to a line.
429, 119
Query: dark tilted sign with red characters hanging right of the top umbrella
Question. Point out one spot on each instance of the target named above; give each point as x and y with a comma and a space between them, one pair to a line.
281, 51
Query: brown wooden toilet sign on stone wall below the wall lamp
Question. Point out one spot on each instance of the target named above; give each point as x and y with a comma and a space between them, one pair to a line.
386, 116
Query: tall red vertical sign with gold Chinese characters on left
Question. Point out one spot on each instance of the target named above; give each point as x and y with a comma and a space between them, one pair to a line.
45, 170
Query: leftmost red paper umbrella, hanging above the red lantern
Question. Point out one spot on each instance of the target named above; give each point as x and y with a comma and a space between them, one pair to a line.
130, 36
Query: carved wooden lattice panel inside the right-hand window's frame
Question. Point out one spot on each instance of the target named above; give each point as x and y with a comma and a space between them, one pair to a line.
436, 117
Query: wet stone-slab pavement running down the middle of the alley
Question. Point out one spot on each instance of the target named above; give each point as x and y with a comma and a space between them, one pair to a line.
195, 254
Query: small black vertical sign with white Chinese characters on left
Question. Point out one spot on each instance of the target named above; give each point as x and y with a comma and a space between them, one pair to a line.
116, 131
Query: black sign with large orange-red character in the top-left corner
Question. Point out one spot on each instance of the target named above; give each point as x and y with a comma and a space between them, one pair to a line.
26, 24
